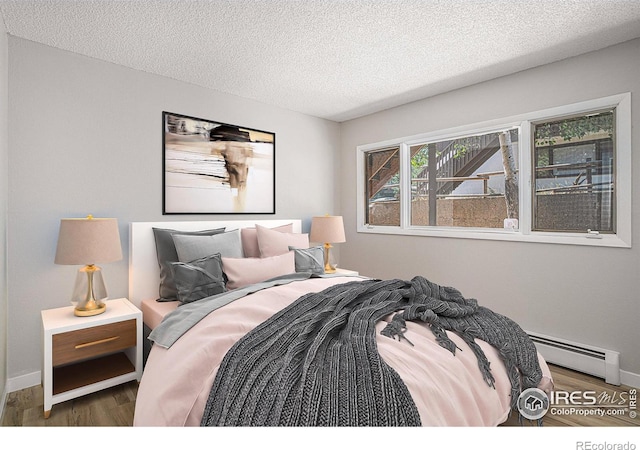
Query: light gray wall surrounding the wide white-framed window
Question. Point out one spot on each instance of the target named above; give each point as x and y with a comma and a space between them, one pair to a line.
583, 294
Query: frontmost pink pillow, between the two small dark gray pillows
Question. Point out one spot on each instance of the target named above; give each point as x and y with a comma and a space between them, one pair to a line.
245, 271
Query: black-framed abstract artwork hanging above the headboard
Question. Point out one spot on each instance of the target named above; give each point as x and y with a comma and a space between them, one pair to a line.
212, 167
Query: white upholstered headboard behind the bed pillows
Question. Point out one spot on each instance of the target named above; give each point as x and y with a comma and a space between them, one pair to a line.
144, 272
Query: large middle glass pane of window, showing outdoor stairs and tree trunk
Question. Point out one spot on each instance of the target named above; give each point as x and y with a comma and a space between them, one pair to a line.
469, 188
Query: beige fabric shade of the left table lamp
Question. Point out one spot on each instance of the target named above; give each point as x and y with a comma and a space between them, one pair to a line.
88, 241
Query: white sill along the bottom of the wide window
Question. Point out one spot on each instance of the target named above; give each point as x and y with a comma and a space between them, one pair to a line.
603, 240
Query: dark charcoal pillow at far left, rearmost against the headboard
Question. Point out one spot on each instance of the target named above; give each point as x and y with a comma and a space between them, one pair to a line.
166, 253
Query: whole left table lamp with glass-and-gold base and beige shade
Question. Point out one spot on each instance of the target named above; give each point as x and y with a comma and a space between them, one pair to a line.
88, 241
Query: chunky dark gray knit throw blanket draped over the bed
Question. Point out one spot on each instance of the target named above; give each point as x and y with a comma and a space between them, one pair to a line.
316, 362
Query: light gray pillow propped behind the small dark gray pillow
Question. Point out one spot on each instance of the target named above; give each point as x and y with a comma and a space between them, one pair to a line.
228, 244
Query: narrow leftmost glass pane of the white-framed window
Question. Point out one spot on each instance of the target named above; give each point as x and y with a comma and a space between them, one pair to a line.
382, 169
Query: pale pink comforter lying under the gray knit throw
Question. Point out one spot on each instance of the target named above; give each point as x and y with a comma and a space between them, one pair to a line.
447, 389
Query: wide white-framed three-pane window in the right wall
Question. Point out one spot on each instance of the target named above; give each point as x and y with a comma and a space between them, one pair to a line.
561, 175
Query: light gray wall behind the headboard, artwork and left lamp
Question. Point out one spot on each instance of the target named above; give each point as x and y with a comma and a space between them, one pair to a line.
86, 138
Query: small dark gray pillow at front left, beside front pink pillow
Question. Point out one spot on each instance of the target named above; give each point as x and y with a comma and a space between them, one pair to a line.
198, 279
